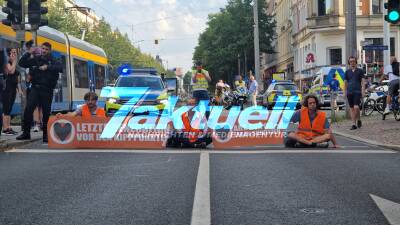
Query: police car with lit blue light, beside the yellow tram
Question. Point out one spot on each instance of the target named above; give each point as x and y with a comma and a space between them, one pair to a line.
156, 97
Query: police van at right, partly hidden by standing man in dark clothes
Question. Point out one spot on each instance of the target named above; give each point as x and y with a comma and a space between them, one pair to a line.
320, 88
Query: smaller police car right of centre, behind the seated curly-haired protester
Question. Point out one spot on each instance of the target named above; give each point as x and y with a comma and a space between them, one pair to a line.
280, 88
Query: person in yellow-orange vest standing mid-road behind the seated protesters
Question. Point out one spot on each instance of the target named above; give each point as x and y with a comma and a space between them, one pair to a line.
200, 80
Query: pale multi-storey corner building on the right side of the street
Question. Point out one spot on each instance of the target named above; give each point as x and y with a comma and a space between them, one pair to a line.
318, 35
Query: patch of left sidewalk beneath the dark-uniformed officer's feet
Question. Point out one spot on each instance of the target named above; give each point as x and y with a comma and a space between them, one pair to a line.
8, 142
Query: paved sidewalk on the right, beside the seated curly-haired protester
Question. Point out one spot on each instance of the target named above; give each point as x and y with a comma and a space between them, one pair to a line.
375, 131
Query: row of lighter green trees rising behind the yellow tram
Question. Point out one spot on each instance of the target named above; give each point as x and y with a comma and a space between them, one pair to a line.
117, 45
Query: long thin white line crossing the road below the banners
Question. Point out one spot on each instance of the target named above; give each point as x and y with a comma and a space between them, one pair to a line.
275, 151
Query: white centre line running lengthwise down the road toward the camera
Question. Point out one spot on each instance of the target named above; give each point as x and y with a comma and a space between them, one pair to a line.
201, 212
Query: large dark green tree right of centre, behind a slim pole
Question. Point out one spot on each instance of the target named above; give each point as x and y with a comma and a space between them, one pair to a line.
229, 34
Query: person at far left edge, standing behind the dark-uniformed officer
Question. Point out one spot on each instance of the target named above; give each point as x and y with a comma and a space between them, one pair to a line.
12, 79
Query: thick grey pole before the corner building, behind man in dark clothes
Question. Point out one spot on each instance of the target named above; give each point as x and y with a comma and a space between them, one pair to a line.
351, 36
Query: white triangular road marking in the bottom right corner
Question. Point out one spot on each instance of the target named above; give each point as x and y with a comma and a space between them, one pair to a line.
391, 210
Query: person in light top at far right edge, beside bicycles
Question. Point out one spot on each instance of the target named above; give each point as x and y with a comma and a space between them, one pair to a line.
392, 73
